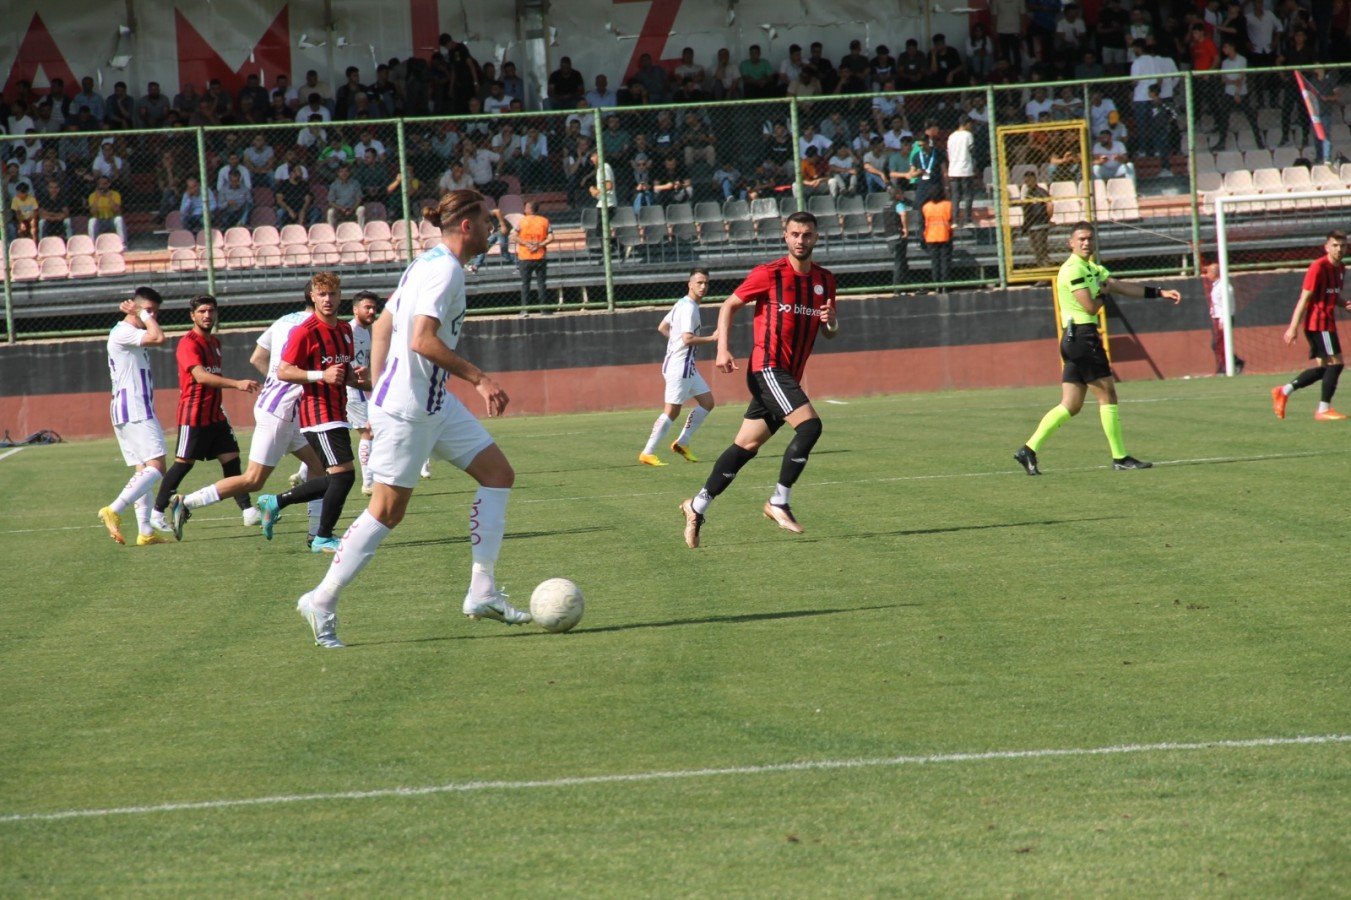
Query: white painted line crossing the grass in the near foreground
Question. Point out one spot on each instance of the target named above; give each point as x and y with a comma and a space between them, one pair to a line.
678, 775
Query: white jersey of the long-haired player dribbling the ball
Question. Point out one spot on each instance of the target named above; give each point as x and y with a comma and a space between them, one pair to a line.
411, 386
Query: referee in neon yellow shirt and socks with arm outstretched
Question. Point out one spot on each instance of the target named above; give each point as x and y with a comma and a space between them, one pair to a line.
1079, 289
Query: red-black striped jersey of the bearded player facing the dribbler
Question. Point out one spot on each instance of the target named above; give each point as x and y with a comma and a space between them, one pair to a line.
788, 314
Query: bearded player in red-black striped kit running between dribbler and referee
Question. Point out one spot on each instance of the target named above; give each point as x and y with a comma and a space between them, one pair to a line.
794, 299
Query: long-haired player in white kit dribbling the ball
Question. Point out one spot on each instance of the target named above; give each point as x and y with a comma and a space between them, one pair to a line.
414, 417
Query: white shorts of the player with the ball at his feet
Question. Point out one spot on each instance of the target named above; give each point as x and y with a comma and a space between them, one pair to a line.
399, 447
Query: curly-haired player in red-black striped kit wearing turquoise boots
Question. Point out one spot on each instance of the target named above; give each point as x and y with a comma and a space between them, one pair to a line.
320, 357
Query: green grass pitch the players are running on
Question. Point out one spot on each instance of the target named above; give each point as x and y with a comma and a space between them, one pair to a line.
941, 605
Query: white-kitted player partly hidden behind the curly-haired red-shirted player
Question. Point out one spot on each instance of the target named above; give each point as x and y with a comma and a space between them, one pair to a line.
276, 425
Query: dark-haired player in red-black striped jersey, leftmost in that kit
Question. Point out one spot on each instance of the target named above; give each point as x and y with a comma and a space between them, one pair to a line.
205, 432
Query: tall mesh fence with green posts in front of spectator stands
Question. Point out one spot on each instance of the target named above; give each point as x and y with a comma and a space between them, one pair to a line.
637, 195
